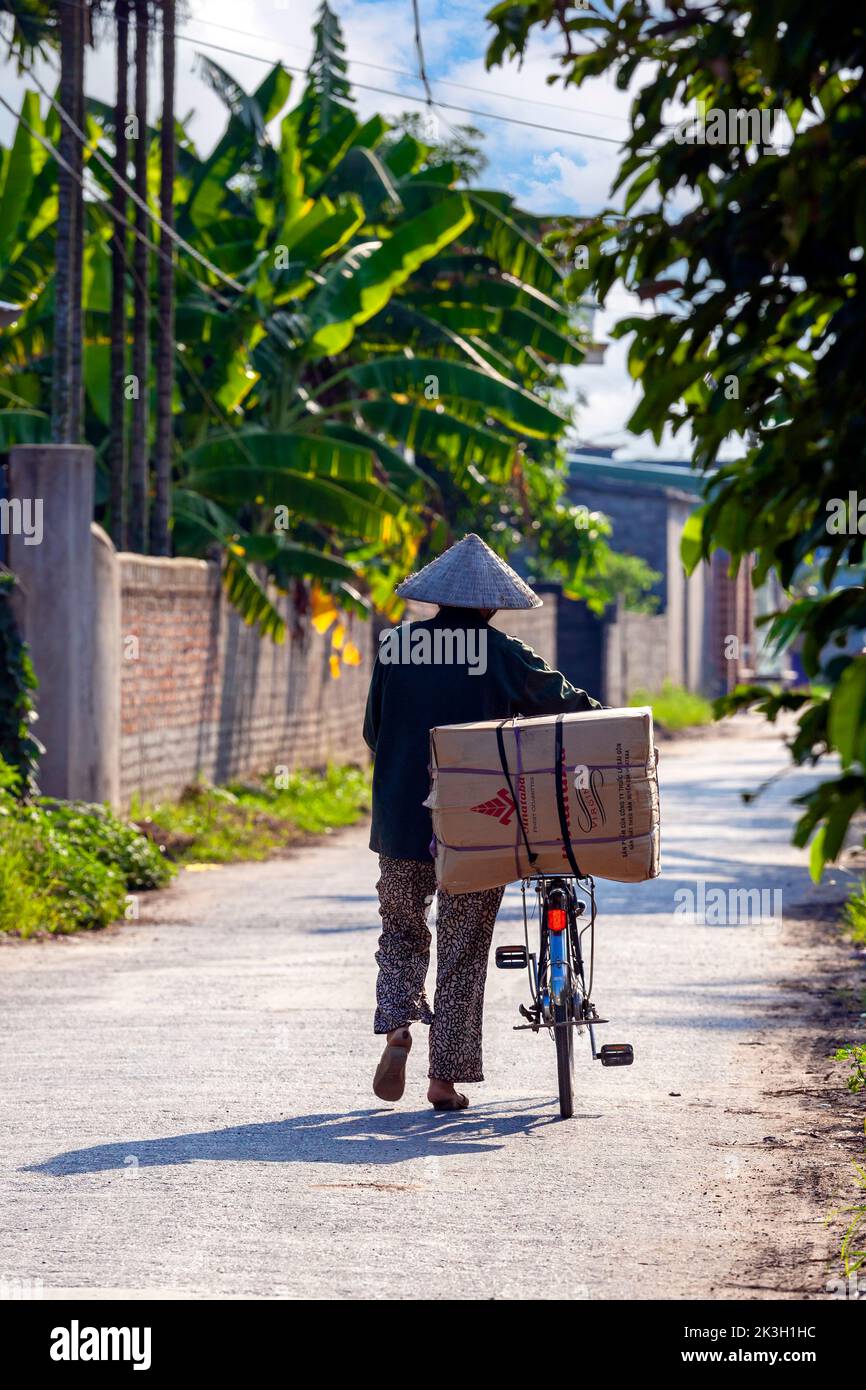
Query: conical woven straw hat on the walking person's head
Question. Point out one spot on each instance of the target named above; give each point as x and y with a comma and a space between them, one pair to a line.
469, 576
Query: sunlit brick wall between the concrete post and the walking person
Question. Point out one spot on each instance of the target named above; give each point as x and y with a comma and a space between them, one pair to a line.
204, 696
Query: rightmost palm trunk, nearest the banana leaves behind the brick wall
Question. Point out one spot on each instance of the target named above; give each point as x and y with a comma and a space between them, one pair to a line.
165, 352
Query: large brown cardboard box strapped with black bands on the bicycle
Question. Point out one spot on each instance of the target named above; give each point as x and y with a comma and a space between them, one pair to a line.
610, 796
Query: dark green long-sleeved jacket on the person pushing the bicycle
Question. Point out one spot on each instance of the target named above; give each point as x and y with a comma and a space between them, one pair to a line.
408, 701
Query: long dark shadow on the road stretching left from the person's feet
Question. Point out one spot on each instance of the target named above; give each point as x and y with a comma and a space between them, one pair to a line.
376, 1136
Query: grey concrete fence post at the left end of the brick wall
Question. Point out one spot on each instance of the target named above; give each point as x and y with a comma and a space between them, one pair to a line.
69, 614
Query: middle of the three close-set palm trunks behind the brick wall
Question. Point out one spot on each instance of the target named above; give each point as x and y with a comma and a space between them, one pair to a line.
141, 305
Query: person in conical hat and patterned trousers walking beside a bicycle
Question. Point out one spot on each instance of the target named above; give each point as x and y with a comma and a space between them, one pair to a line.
412, 693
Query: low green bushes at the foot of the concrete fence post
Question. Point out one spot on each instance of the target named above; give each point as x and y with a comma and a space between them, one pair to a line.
66, 867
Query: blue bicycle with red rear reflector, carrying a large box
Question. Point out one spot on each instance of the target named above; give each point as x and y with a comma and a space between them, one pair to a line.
562, 999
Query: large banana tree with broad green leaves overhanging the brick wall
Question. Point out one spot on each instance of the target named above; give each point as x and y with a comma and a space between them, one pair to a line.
390, 313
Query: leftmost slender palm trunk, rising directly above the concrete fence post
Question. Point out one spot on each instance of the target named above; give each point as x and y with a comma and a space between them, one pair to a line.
66, 236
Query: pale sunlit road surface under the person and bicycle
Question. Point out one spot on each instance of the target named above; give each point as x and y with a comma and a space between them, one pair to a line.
187, 1106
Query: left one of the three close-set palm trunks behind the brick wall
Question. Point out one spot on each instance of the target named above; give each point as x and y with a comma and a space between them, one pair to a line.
117, 437
